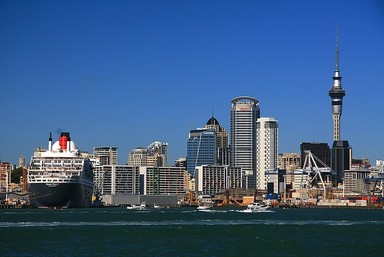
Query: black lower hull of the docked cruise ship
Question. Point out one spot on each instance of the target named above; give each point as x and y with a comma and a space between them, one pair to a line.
62, 195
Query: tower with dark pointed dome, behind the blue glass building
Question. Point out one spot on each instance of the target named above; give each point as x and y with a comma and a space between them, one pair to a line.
221, 141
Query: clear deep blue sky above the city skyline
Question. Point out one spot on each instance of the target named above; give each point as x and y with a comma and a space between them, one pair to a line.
127, 73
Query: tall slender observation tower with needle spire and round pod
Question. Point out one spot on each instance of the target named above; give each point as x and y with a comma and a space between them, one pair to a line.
337, 93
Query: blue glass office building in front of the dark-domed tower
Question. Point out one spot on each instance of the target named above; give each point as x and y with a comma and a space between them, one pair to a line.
201, 148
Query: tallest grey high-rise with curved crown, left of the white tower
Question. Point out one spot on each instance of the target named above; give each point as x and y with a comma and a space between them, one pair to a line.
244, 113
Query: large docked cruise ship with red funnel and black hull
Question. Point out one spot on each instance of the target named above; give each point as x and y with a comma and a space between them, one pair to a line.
60, 177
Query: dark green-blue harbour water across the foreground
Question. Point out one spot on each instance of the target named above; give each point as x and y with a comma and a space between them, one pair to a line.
188, 232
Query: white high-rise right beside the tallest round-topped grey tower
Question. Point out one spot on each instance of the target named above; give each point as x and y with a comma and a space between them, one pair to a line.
266, 151
